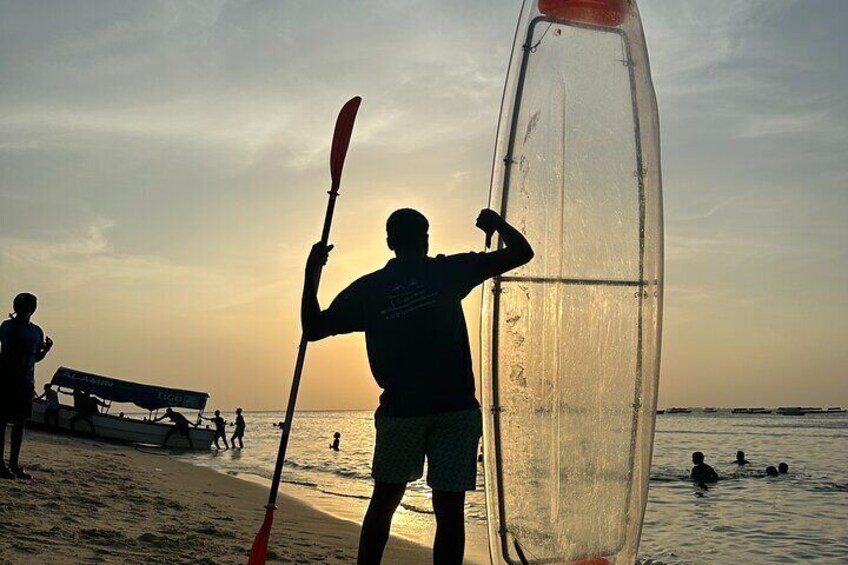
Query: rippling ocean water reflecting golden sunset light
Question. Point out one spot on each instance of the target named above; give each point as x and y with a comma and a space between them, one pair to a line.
747, 517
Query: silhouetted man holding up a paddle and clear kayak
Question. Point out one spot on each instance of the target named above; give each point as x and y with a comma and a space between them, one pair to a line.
418, 349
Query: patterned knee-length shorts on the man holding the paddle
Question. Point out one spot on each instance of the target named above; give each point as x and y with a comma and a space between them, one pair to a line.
449, 441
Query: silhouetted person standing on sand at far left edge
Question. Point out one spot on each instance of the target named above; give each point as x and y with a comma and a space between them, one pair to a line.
22, 345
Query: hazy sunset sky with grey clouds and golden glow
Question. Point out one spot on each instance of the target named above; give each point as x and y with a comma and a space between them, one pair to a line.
163, 173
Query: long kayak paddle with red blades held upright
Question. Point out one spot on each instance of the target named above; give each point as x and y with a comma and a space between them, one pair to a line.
338, 152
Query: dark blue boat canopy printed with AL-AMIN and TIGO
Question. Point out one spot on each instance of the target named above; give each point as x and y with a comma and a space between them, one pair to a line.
149, 397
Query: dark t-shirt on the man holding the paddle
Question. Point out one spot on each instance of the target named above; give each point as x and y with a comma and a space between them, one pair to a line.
415, 332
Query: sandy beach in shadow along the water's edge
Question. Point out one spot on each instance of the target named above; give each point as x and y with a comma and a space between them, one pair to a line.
95, 502
